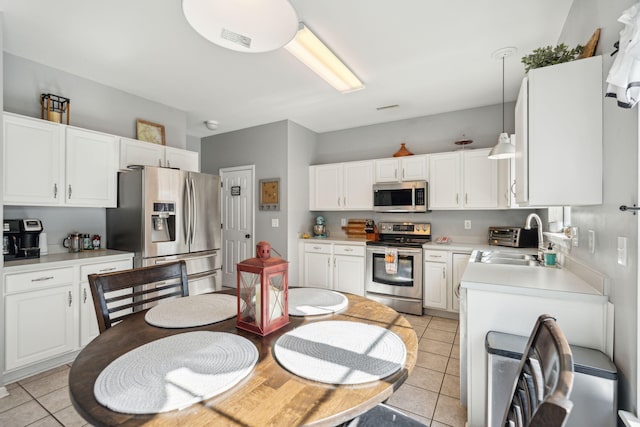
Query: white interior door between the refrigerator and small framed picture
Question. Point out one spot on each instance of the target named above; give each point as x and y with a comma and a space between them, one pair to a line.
237, 220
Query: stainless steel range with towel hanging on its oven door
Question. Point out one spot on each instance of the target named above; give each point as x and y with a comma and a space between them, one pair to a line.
394, 265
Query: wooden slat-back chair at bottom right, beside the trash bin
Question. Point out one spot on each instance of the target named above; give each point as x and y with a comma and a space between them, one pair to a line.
541, 390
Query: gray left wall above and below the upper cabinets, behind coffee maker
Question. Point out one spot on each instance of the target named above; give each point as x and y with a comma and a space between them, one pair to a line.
93, 106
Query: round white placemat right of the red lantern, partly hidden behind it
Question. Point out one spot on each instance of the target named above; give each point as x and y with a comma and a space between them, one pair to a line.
315, 301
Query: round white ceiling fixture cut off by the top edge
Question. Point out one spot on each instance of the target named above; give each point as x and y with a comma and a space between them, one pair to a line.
243, 25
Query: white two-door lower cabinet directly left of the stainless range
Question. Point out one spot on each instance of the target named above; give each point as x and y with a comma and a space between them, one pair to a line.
333, 266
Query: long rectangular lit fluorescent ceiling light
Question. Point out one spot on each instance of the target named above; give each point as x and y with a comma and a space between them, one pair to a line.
316, 55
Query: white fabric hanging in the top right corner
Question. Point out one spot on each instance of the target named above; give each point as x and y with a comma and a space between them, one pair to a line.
624, 76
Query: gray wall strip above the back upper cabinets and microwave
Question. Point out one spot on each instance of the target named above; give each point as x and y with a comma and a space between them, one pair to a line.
428, 134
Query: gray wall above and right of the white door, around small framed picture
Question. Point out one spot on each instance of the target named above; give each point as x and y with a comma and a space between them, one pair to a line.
265, 147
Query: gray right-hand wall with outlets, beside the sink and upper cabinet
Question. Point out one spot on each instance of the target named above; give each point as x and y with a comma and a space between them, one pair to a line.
620, 132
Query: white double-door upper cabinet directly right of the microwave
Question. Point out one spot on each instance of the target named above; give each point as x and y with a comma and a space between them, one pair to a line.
463, 179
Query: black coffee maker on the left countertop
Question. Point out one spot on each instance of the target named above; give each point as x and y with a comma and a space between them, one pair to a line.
20, 238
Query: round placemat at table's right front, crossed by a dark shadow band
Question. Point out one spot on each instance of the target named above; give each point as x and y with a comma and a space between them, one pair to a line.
341, 352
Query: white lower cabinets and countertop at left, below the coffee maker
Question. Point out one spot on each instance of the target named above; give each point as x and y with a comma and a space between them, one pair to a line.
49, 311
